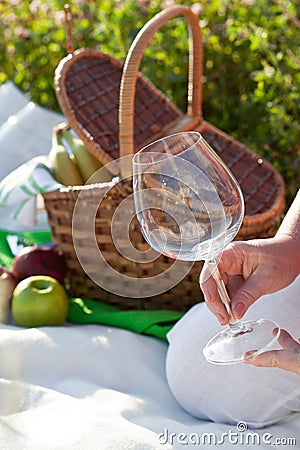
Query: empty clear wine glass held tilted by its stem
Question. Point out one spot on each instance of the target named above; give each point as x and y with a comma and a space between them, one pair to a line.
189, 207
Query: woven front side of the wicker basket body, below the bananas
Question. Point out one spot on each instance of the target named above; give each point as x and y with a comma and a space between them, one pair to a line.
60, 209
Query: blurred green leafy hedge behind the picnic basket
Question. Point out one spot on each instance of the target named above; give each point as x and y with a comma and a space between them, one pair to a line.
251, 61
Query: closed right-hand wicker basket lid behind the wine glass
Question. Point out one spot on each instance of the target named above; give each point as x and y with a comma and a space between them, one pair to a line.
262, 186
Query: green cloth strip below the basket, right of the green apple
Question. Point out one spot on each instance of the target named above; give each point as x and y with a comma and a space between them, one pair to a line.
151, 322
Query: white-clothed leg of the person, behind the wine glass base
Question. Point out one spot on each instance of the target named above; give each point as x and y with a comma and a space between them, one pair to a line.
228, 394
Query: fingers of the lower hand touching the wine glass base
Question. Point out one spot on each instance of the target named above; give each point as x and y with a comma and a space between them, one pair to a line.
282, 359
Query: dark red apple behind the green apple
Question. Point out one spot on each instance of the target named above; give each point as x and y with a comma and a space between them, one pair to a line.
34, 260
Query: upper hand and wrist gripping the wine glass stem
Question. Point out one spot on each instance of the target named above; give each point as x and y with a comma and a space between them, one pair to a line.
253, 268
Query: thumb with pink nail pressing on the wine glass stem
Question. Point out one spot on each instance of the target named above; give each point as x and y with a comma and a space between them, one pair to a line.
250, 291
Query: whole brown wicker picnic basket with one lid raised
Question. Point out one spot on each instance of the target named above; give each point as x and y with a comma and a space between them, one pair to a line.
115, 111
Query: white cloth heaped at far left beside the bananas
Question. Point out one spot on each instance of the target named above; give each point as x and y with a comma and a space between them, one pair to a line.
25, 140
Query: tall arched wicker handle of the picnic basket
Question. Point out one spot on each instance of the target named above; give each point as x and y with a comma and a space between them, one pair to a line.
130, 72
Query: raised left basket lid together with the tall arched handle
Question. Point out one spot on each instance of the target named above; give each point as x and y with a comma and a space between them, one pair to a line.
91, 85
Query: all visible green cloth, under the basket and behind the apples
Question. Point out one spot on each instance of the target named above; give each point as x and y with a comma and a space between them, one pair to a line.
81, 311
